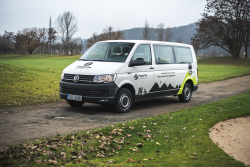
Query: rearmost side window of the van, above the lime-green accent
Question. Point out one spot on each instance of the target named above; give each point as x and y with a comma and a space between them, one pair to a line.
183, 55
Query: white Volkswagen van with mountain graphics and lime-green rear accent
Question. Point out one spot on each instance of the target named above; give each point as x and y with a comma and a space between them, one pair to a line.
119, 72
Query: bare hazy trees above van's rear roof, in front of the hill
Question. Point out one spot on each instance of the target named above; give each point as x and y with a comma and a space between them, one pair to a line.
162, 33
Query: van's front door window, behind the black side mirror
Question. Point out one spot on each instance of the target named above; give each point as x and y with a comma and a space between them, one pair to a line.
143, 51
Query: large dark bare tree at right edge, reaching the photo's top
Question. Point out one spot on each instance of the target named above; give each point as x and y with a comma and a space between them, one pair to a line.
224, 24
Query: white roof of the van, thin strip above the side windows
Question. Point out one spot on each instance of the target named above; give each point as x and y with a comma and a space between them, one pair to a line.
149, 42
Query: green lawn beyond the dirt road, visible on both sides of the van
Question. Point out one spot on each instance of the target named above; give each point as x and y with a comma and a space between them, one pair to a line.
34, 79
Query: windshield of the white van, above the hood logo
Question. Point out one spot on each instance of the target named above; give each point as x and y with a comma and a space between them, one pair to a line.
108, 51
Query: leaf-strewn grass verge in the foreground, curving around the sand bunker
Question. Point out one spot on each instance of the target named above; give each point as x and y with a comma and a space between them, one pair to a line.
176, 139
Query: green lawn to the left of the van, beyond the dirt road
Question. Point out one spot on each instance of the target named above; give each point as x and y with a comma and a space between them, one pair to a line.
31, 79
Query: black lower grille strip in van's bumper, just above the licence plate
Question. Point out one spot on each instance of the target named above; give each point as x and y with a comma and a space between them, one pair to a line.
91, 93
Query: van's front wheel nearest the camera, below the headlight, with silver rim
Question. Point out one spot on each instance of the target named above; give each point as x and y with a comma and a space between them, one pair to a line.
124, 101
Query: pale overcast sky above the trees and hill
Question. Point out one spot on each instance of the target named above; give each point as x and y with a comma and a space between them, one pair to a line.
95, 15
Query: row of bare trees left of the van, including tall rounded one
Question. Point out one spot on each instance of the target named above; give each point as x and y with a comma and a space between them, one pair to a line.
45, 40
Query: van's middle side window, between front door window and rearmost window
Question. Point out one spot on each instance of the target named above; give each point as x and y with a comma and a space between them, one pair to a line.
163, 54
